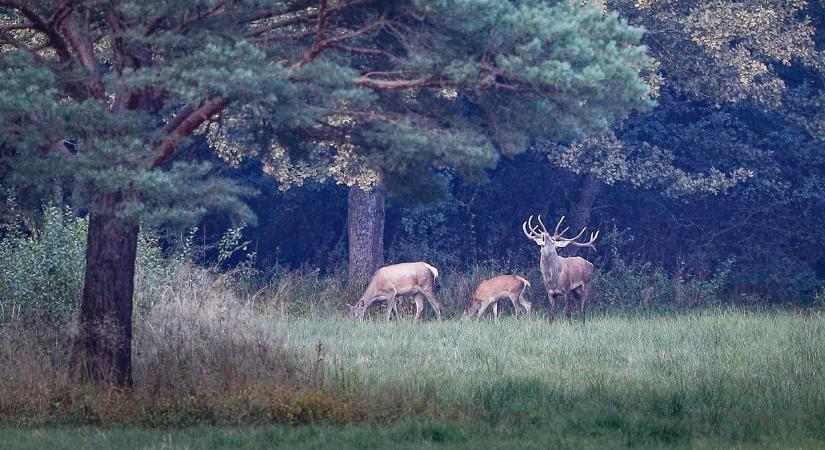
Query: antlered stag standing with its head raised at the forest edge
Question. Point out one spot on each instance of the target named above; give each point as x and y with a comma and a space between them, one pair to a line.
562, 276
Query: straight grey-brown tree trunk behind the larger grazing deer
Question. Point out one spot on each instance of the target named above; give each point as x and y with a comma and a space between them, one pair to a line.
365, 219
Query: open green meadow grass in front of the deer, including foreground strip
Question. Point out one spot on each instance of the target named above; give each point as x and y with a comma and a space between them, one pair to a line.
721, 379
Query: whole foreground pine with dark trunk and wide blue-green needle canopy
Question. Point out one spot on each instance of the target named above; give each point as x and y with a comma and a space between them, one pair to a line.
109, 95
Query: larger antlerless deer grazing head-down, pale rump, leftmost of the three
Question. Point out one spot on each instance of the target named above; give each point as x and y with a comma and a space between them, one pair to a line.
414, 279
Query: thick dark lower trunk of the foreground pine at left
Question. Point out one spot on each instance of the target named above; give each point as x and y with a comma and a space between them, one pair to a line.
103, 350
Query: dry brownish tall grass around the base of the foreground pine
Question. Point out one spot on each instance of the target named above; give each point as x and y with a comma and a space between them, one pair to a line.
200, 353
